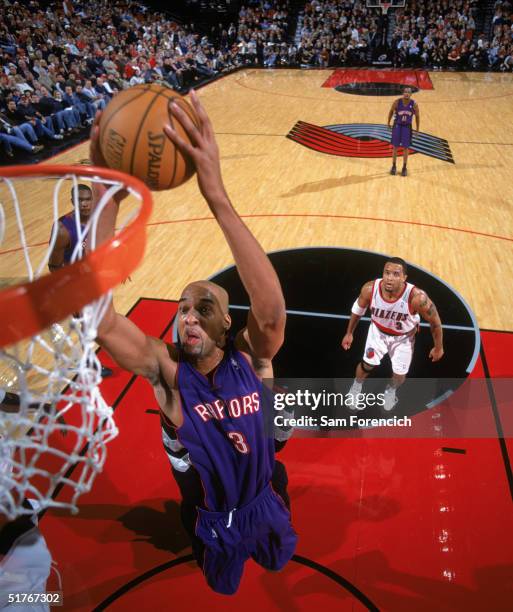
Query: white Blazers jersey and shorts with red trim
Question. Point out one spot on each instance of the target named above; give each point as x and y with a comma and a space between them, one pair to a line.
392, 329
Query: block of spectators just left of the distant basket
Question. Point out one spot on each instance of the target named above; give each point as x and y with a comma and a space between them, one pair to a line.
337, 33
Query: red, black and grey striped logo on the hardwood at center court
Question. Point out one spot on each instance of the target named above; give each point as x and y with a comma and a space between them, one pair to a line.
364, 140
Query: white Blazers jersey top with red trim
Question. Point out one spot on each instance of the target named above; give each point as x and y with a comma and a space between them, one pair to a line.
393, 317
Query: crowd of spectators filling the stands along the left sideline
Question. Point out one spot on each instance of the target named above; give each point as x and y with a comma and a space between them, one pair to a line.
62, 62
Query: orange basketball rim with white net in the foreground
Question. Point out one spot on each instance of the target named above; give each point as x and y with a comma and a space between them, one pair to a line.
54, 422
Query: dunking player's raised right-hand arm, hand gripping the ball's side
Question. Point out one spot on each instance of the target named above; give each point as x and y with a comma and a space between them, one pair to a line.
266, 319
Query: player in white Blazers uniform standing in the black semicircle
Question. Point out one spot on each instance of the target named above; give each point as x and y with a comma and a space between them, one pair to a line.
396, 307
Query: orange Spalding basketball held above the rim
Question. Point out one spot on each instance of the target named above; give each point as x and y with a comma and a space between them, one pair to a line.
132, 138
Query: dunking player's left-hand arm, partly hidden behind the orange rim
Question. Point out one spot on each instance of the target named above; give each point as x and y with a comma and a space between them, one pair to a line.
129, 346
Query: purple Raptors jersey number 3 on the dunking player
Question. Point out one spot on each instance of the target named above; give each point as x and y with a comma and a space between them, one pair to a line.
223, 430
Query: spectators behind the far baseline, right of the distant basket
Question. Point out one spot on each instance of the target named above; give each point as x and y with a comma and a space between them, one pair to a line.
442, 35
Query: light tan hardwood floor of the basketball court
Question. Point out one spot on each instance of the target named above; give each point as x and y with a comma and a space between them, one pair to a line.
452, 219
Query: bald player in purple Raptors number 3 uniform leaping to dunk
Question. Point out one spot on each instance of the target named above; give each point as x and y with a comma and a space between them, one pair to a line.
209, 387
